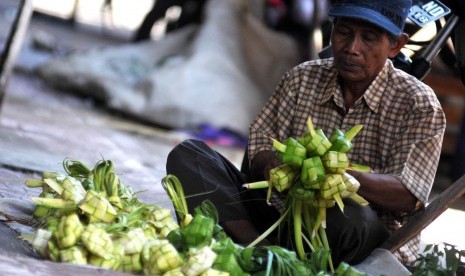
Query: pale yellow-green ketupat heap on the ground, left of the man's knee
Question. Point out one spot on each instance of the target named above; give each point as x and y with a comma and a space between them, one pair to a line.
87, 216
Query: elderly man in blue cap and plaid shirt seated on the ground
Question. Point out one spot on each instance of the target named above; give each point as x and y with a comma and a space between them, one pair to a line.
401, 139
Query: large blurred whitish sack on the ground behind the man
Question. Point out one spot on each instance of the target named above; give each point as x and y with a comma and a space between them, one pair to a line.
221, 72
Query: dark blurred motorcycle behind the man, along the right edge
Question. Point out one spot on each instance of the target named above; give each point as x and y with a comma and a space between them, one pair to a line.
449, 45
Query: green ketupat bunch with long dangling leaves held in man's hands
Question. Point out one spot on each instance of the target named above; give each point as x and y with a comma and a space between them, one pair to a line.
314, 177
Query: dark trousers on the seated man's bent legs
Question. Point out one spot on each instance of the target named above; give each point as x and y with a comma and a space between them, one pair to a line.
206, 174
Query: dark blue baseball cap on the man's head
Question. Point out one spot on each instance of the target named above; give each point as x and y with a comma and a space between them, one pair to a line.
389, 15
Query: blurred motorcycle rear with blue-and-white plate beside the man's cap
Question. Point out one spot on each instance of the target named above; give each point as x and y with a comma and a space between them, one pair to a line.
448, 42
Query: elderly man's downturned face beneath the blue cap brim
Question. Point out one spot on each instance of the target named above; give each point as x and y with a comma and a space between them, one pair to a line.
360, 49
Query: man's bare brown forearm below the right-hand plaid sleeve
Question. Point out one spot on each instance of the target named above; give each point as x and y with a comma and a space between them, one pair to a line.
385, 191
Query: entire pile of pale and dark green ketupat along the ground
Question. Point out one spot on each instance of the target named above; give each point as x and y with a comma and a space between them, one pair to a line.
87, 216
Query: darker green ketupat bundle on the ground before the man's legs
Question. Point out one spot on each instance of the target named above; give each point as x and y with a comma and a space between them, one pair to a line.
203, 230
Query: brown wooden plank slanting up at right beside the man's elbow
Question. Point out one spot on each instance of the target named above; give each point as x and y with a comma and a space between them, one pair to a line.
416, 224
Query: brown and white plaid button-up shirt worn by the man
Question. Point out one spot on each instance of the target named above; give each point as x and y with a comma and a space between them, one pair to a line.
402, 135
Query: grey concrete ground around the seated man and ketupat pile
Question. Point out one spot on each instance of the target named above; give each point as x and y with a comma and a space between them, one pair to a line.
40, 127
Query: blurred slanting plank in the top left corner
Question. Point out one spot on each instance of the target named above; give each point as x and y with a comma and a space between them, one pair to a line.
13, 43
